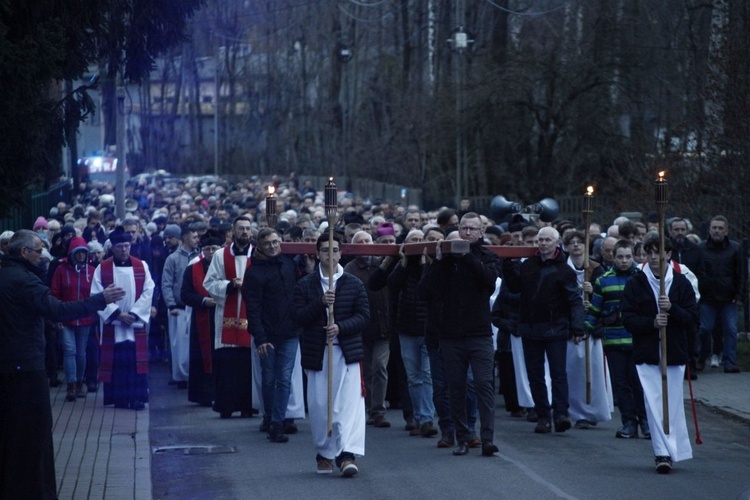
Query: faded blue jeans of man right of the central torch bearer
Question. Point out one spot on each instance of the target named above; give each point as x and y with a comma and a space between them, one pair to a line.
419, 379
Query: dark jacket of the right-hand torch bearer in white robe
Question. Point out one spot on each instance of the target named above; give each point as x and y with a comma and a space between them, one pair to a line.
639, 310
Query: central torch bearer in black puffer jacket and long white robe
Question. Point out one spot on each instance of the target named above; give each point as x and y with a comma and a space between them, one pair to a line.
313, 295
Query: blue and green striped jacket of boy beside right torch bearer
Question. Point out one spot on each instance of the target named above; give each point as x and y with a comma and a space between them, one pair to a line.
604, 311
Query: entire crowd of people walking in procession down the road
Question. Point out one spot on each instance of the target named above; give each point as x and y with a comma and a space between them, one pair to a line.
196, 275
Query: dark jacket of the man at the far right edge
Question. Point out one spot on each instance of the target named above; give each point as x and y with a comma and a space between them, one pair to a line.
720, 272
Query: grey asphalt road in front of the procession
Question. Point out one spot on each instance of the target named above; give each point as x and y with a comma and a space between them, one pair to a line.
578, 464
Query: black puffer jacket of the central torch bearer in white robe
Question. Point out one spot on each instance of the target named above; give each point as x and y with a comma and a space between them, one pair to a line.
351, 313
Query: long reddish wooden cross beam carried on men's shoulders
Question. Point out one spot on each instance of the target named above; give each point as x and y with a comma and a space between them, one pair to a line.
381, 250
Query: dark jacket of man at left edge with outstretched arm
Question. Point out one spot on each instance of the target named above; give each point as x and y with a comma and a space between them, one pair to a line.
26, 303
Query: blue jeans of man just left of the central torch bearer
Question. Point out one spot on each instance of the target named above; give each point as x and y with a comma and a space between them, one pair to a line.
277, 368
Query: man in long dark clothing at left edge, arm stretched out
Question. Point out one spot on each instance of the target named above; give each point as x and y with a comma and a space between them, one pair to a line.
27, 462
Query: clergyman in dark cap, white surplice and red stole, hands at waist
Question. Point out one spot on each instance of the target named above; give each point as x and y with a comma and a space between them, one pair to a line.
124, 350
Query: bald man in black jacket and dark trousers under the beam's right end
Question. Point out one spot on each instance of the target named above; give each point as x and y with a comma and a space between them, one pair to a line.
551, 312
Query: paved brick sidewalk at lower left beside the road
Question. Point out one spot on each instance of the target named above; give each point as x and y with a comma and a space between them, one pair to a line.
100, 452
